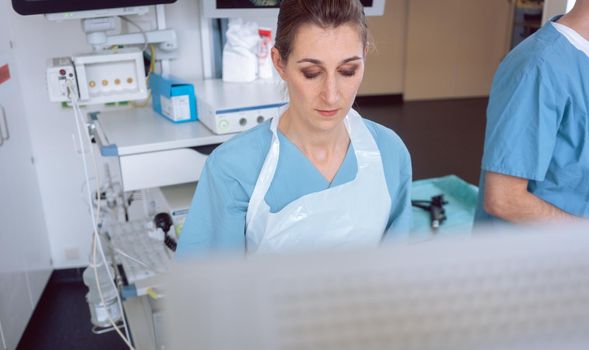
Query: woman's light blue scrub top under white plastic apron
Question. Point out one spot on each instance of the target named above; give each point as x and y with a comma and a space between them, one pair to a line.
216, 220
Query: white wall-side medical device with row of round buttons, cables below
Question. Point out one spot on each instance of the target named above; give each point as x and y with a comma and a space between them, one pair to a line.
107, 76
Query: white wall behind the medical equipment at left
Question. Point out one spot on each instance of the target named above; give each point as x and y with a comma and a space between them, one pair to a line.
59, 168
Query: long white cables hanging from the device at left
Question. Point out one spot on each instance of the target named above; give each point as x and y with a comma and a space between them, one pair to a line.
96, 243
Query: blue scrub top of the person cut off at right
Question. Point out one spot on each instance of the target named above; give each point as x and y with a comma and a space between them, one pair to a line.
537, 122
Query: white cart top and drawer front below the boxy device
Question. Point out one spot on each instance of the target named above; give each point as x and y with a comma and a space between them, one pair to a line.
152, 151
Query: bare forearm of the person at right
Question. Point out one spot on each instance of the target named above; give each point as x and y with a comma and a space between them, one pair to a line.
507, 198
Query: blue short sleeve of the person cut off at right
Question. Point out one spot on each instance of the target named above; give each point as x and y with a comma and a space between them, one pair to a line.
522, 124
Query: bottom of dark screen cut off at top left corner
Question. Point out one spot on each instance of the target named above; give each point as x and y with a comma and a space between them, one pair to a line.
34, 7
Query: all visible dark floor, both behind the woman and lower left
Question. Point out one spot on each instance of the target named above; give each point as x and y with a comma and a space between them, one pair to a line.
444, 137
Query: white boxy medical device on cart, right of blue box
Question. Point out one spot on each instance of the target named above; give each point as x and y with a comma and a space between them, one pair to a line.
232, 107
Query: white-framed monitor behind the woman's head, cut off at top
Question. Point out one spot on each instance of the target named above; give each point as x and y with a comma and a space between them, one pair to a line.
267, 8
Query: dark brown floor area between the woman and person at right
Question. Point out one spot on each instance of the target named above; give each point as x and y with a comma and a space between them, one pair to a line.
443, 137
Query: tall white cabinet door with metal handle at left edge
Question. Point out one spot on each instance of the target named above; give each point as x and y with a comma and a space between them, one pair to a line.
25, 263
